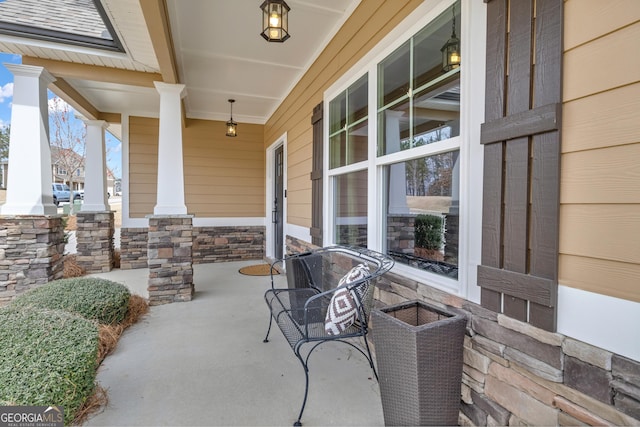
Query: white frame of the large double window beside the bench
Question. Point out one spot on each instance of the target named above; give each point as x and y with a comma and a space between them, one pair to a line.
472, 72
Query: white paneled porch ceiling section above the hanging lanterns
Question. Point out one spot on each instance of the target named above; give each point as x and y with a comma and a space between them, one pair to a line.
226, 57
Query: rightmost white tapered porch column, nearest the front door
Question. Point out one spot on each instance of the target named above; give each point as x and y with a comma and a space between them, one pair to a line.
170, 191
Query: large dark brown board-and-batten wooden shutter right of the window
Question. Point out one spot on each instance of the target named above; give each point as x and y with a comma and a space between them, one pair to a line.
521, 137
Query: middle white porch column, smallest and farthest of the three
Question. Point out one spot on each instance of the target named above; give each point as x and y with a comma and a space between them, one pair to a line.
95, 175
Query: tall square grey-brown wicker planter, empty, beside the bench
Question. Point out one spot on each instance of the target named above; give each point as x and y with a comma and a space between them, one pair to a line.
419, 357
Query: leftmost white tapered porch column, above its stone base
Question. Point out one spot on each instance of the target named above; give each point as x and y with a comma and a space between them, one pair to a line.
29, 184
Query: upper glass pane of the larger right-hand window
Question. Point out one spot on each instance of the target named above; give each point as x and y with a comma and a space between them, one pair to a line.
418, 103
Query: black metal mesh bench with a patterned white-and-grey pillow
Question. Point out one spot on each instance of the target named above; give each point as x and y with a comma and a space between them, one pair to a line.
336, 279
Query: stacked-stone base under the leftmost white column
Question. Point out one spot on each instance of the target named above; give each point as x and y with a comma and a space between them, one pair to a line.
31, 253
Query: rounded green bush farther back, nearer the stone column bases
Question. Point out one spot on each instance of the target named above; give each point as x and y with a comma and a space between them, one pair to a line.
90, 297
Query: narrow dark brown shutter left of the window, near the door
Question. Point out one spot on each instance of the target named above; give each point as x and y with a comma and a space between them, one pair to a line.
316, 177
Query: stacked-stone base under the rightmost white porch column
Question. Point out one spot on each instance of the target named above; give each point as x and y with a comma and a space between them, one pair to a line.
170, 259
